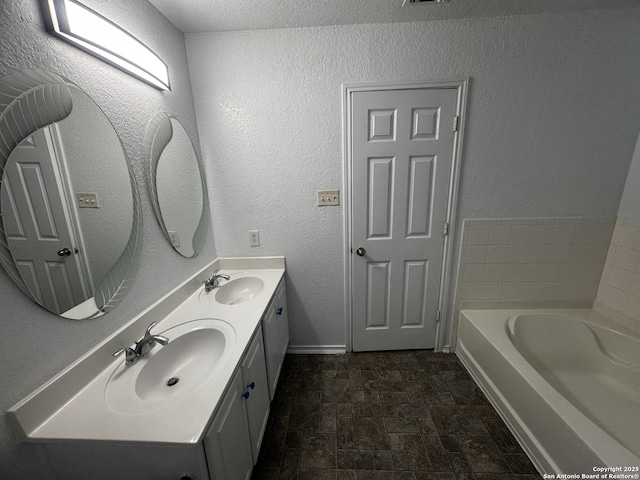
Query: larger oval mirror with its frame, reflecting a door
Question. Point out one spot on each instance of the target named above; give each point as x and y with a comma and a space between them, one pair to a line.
71, 225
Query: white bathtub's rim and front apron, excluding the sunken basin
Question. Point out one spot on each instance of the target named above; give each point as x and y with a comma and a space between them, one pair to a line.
579, 429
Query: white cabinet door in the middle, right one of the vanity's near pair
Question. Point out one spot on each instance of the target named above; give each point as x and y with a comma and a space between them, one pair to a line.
254, 373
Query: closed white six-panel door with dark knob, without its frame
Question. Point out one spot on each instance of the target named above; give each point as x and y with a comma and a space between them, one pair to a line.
401, 151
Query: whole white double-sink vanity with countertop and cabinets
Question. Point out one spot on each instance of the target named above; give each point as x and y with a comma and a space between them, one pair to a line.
195, 408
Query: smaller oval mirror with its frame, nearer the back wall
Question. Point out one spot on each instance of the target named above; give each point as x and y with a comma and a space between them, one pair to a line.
177, 185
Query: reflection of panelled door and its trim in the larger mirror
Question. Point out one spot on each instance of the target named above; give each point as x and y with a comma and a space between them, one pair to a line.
39, 223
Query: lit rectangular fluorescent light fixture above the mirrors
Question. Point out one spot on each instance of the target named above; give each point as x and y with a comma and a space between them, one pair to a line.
93, 33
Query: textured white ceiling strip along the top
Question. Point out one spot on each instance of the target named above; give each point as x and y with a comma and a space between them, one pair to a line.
224, 15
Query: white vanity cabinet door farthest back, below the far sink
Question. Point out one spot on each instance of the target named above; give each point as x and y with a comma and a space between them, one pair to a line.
275, 324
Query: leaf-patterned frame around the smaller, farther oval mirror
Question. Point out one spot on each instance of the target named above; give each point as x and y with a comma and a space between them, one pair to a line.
159, 134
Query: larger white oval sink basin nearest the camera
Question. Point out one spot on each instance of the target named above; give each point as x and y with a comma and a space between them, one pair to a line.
196, 352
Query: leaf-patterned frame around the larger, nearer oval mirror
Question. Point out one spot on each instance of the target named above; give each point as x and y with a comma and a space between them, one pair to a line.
30, 100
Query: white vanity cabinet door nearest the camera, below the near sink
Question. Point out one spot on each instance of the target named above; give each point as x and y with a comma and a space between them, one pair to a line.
227, 442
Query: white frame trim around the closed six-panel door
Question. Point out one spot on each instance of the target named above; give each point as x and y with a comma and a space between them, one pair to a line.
461, 85
